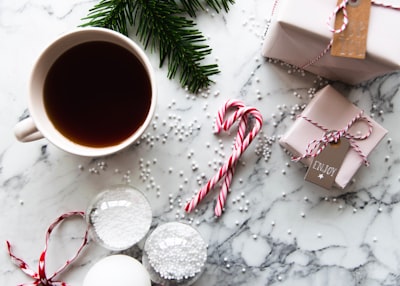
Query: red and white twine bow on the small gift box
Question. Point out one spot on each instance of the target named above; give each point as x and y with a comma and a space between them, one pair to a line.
315, 147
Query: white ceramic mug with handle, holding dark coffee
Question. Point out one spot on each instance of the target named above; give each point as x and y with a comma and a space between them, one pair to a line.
39, 125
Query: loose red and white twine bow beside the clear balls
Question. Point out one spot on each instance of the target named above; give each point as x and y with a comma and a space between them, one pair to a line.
40, 276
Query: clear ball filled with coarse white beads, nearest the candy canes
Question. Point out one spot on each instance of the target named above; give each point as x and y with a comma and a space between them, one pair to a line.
175, 254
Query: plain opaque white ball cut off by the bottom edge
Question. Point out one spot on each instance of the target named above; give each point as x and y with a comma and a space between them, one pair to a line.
117, 270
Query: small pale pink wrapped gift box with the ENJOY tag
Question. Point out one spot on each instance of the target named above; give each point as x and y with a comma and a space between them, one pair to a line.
329, 110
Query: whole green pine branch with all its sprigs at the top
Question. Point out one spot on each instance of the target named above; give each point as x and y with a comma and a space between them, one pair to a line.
160, 25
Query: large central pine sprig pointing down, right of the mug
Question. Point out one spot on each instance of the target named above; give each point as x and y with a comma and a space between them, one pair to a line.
177, 41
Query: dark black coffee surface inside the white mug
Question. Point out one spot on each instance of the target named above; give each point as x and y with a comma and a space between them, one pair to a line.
97, 94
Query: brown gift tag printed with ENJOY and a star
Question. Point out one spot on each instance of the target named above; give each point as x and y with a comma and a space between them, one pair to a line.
324, 167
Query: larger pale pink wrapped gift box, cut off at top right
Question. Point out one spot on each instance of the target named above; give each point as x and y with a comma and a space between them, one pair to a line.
298, 34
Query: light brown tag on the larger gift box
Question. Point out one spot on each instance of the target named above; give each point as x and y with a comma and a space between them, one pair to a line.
352, 42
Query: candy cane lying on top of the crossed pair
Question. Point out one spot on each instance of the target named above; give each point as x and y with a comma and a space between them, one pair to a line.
232, 159
